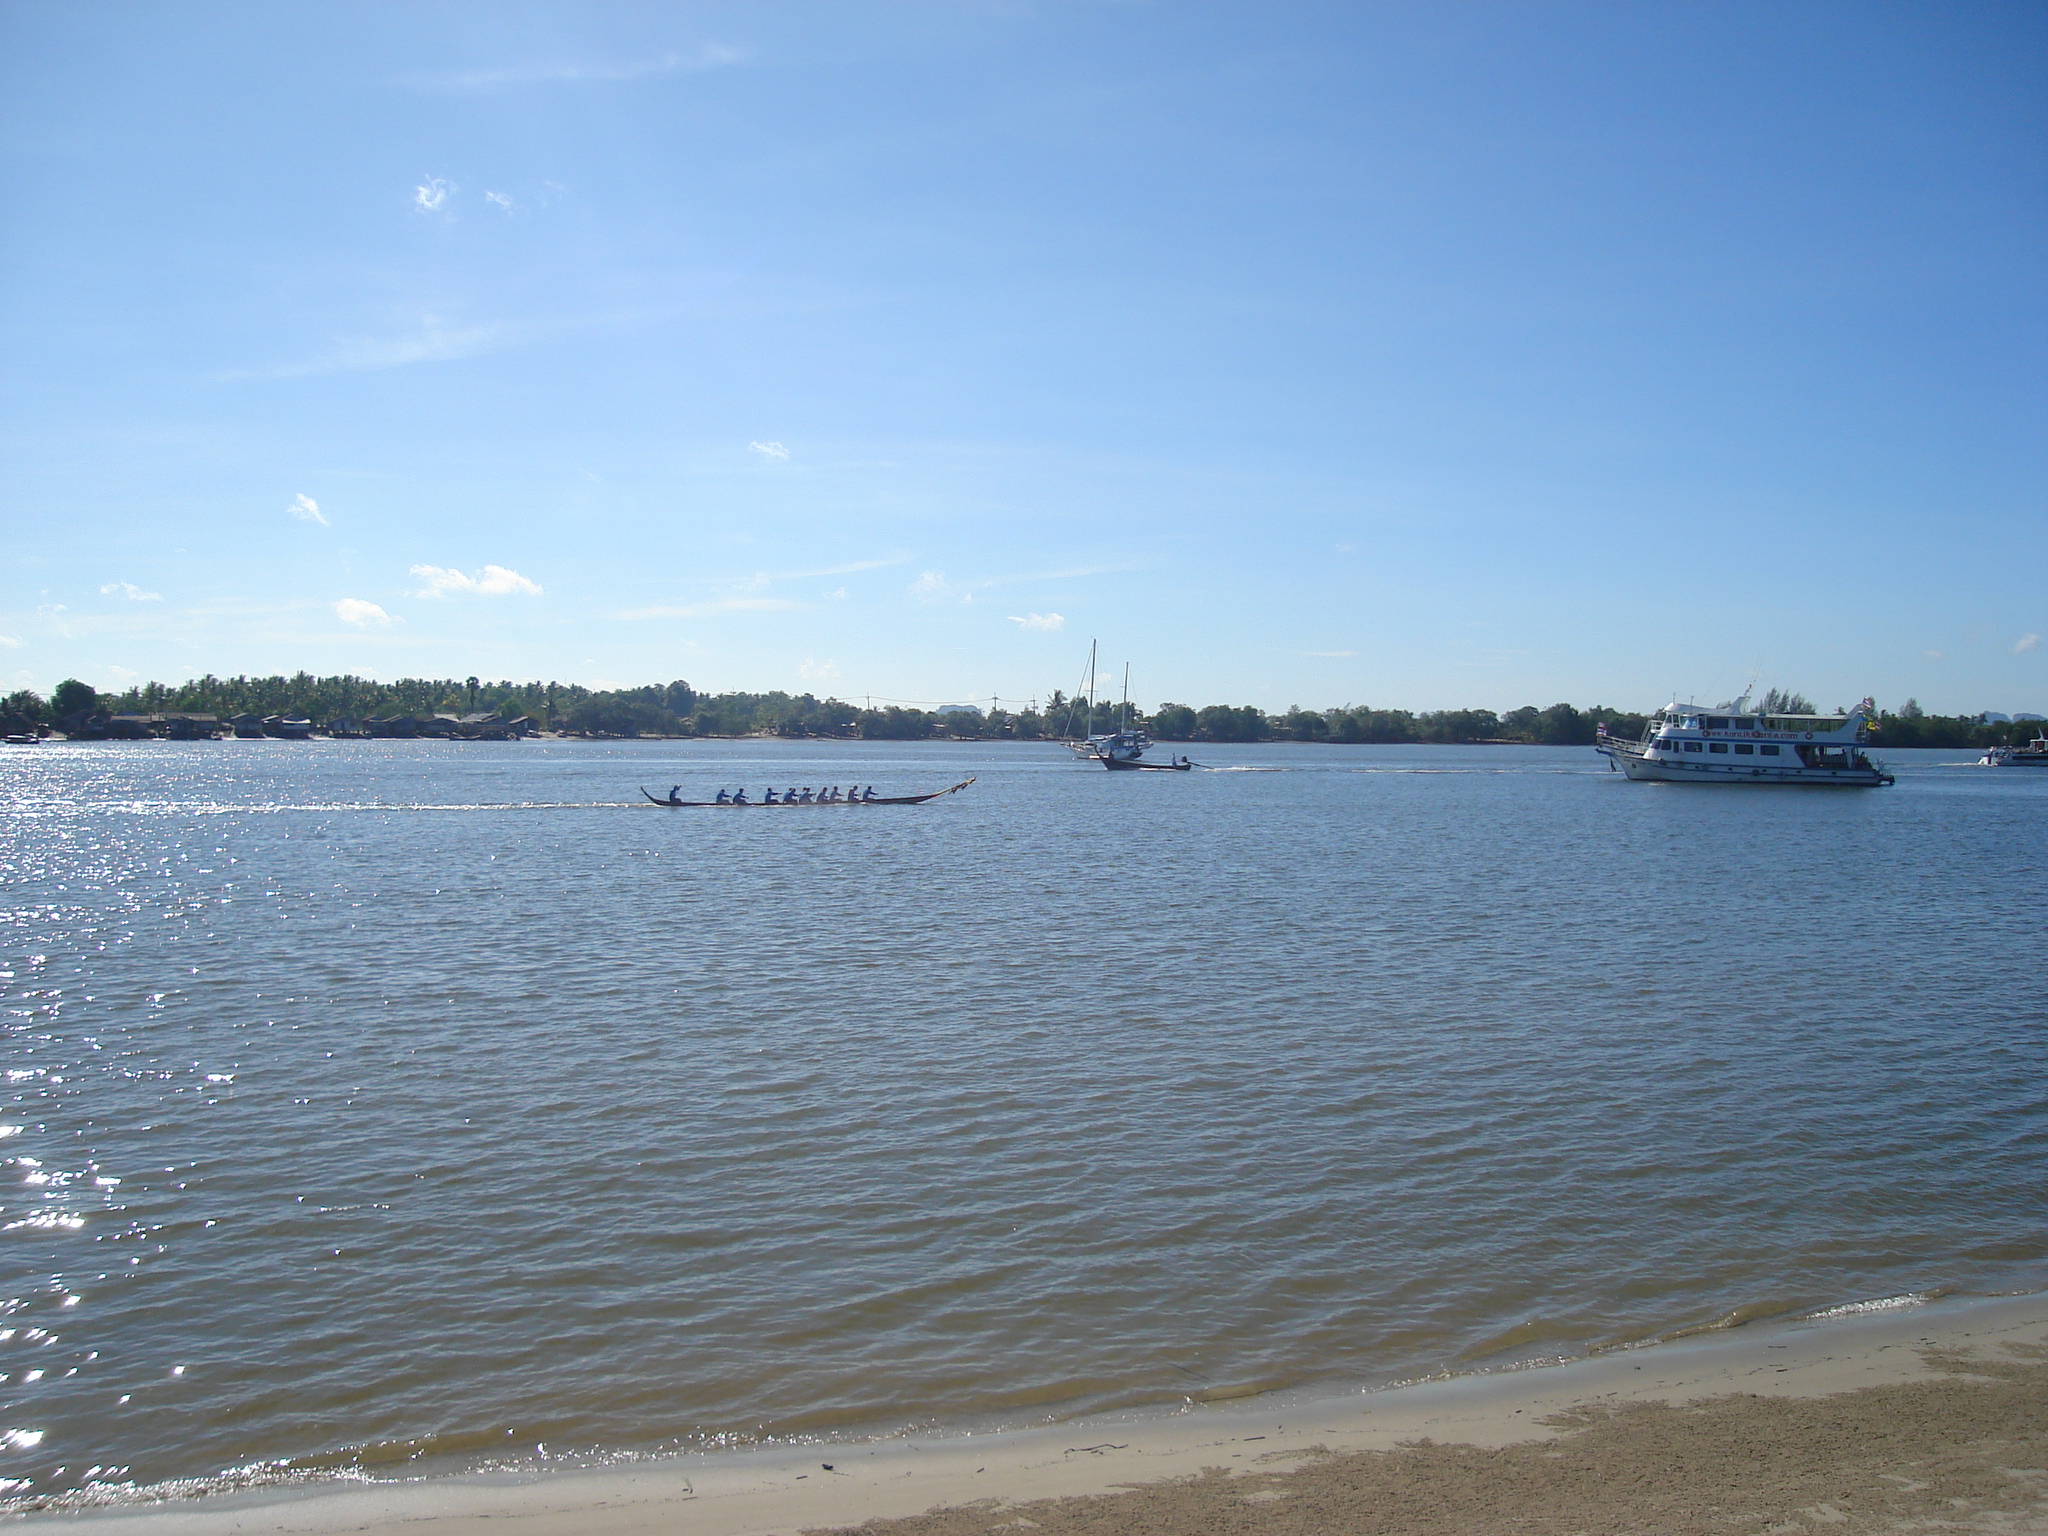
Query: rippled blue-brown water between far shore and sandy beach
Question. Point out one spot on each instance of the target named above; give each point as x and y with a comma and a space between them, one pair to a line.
415, 1101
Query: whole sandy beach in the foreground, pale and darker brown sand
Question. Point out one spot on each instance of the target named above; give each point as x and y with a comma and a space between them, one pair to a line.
1914, 1418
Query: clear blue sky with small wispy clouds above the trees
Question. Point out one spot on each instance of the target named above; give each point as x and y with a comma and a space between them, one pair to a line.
1408, 355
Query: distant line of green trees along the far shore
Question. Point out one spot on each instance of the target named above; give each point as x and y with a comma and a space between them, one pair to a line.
677, 710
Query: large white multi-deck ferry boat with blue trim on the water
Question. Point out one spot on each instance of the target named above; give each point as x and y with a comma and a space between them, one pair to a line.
1687, 744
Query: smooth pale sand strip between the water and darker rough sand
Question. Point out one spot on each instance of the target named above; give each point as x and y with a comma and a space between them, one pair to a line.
1152, 1455
